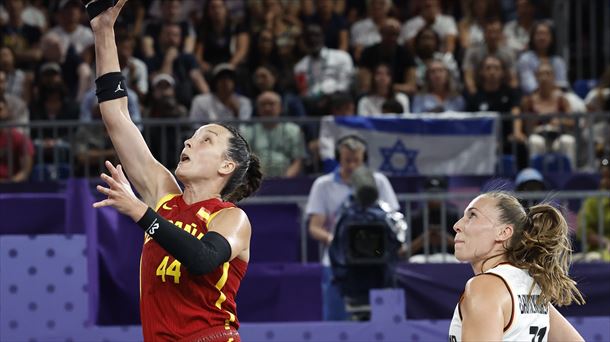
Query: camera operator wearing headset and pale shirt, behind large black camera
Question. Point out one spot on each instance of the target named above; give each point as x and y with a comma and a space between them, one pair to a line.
327, 194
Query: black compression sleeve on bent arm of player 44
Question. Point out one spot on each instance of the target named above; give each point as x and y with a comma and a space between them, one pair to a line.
199, 256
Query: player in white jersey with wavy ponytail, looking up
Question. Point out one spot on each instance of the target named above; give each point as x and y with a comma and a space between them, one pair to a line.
520, 257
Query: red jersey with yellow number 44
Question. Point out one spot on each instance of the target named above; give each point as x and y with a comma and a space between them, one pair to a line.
174, 304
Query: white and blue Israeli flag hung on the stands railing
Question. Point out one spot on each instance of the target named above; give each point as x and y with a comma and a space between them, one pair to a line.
432, 144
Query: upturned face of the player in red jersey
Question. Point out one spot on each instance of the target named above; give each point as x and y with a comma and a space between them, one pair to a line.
204, 154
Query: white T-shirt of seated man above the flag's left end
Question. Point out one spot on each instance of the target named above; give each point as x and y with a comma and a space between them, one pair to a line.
332, 71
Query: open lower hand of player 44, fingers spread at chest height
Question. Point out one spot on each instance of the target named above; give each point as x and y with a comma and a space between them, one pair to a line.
120, 195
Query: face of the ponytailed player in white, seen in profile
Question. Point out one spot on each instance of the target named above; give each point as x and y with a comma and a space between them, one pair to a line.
476, 231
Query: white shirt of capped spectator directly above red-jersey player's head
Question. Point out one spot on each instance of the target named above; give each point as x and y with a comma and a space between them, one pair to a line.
207, 107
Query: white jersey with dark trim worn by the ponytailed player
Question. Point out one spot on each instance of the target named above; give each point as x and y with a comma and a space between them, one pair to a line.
529, 321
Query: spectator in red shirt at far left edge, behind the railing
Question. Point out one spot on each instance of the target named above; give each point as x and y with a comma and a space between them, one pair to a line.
16, 150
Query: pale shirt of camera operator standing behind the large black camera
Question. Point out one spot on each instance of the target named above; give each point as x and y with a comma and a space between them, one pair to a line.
329, 192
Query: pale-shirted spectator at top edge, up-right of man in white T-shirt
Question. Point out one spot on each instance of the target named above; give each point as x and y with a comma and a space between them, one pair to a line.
367, 32
